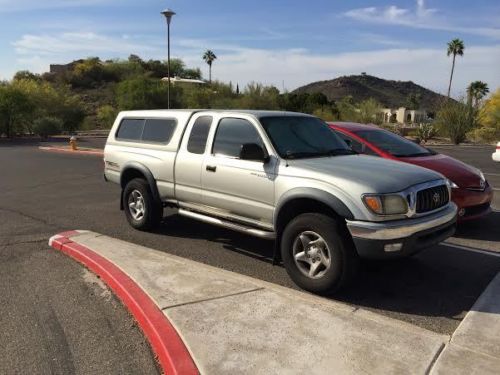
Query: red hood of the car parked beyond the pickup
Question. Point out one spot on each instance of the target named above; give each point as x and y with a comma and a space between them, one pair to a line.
460, 173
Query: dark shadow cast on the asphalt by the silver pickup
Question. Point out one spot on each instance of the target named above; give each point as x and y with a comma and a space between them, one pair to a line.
439, 282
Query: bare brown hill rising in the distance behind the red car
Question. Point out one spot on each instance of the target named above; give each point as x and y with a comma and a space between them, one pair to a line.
391, 94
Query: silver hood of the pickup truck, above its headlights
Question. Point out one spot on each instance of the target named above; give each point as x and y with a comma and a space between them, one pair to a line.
369, 173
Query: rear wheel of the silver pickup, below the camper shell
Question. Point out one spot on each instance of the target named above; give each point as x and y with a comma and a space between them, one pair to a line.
141, 210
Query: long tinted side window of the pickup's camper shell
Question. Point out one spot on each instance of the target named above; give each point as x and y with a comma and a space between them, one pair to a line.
146, 130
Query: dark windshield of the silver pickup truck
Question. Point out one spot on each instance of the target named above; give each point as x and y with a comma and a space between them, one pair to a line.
296, 137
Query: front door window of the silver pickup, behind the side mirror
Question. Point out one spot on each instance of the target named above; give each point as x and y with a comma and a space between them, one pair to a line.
231, 134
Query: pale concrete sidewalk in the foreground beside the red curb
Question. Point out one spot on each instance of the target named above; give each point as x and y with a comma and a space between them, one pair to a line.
235, 324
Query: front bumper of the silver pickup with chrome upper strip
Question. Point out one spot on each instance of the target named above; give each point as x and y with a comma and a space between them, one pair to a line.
402, 237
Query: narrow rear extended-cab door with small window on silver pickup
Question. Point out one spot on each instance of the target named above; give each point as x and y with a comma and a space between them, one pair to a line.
190, 159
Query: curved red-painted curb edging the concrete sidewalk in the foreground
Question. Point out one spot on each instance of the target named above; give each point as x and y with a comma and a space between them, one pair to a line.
172, 354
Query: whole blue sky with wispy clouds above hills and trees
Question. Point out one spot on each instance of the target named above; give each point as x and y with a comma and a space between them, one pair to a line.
285, 43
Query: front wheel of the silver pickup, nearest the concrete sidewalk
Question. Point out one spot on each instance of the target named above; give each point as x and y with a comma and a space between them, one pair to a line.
318, 253
